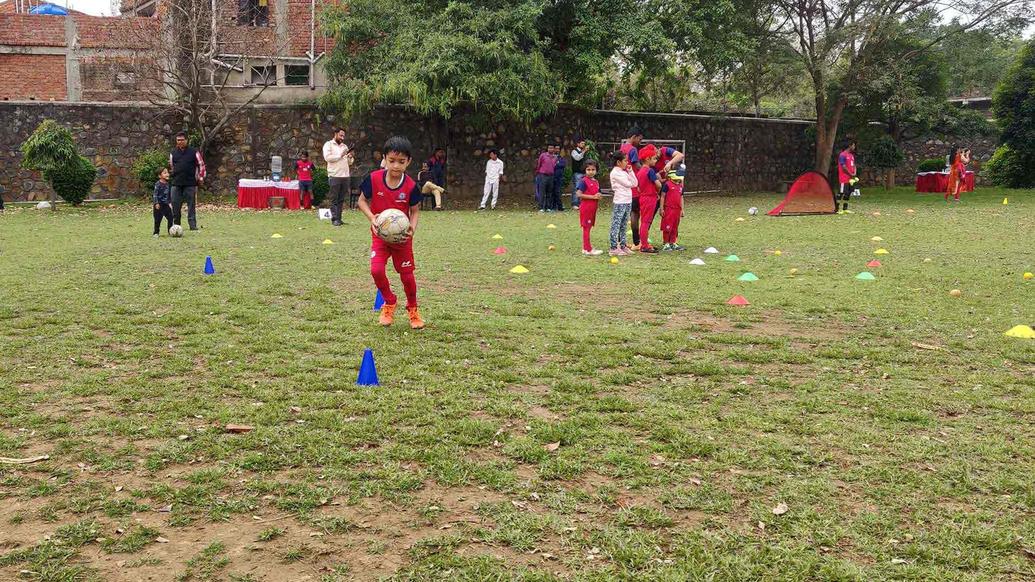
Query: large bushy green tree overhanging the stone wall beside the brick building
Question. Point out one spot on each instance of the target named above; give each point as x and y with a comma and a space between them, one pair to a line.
437, 59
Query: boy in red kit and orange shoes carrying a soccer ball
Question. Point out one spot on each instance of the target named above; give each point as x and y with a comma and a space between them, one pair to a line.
382, 190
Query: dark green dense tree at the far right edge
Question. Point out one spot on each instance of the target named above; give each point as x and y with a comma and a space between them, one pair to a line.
1014, 105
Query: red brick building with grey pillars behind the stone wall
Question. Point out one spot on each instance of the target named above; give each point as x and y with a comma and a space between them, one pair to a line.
268, 47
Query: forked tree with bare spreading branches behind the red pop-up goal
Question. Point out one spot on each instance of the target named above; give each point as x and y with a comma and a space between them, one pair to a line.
840, 44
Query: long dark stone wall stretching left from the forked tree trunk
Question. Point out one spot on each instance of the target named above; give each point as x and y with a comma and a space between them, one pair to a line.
723, 153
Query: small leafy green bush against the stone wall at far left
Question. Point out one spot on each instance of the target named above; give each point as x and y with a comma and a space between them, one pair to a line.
51, 151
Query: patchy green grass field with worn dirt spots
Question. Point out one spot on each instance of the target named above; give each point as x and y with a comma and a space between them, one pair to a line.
586, 421
